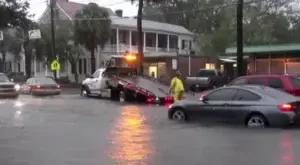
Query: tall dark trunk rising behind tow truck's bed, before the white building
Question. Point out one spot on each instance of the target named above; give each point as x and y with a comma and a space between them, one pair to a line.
140, 36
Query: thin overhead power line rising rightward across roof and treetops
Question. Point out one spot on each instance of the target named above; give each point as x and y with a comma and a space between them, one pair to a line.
177, 12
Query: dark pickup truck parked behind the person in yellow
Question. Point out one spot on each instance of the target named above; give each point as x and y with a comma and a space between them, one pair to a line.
206, 79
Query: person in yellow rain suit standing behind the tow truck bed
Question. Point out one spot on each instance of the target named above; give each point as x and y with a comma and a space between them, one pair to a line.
176, 87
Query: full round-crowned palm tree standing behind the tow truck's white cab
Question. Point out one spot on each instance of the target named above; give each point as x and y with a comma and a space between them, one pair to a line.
92, 29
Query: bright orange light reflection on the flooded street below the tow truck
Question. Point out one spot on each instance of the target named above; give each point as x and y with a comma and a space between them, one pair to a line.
131, 142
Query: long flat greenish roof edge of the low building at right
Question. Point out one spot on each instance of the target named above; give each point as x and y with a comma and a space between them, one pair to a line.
266, 48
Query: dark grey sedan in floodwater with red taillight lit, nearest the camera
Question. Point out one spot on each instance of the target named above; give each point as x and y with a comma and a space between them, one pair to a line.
250, 105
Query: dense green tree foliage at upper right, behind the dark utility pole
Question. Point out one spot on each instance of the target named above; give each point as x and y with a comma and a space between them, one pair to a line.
265, 22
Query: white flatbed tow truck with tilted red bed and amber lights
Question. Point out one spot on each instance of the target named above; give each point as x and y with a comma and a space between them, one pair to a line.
119, 81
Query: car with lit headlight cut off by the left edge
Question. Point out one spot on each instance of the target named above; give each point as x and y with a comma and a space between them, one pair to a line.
7, 87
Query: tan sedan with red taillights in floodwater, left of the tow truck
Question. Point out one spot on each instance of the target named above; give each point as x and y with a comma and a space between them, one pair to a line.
41, 86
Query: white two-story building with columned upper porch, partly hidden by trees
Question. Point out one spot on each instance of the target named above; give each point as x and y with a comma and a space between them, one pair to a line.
161, 41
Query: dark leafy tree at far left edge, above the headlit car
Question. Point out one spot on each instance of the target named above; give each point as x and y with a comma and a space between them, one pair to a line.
11, 43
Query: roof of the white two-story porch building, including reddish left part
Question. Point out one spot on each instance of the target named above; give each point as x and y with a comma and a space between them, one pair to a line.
70, 9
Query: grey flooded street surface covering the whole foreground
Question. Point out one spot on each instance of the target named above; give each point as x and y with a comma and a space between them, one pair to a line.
69, 130
